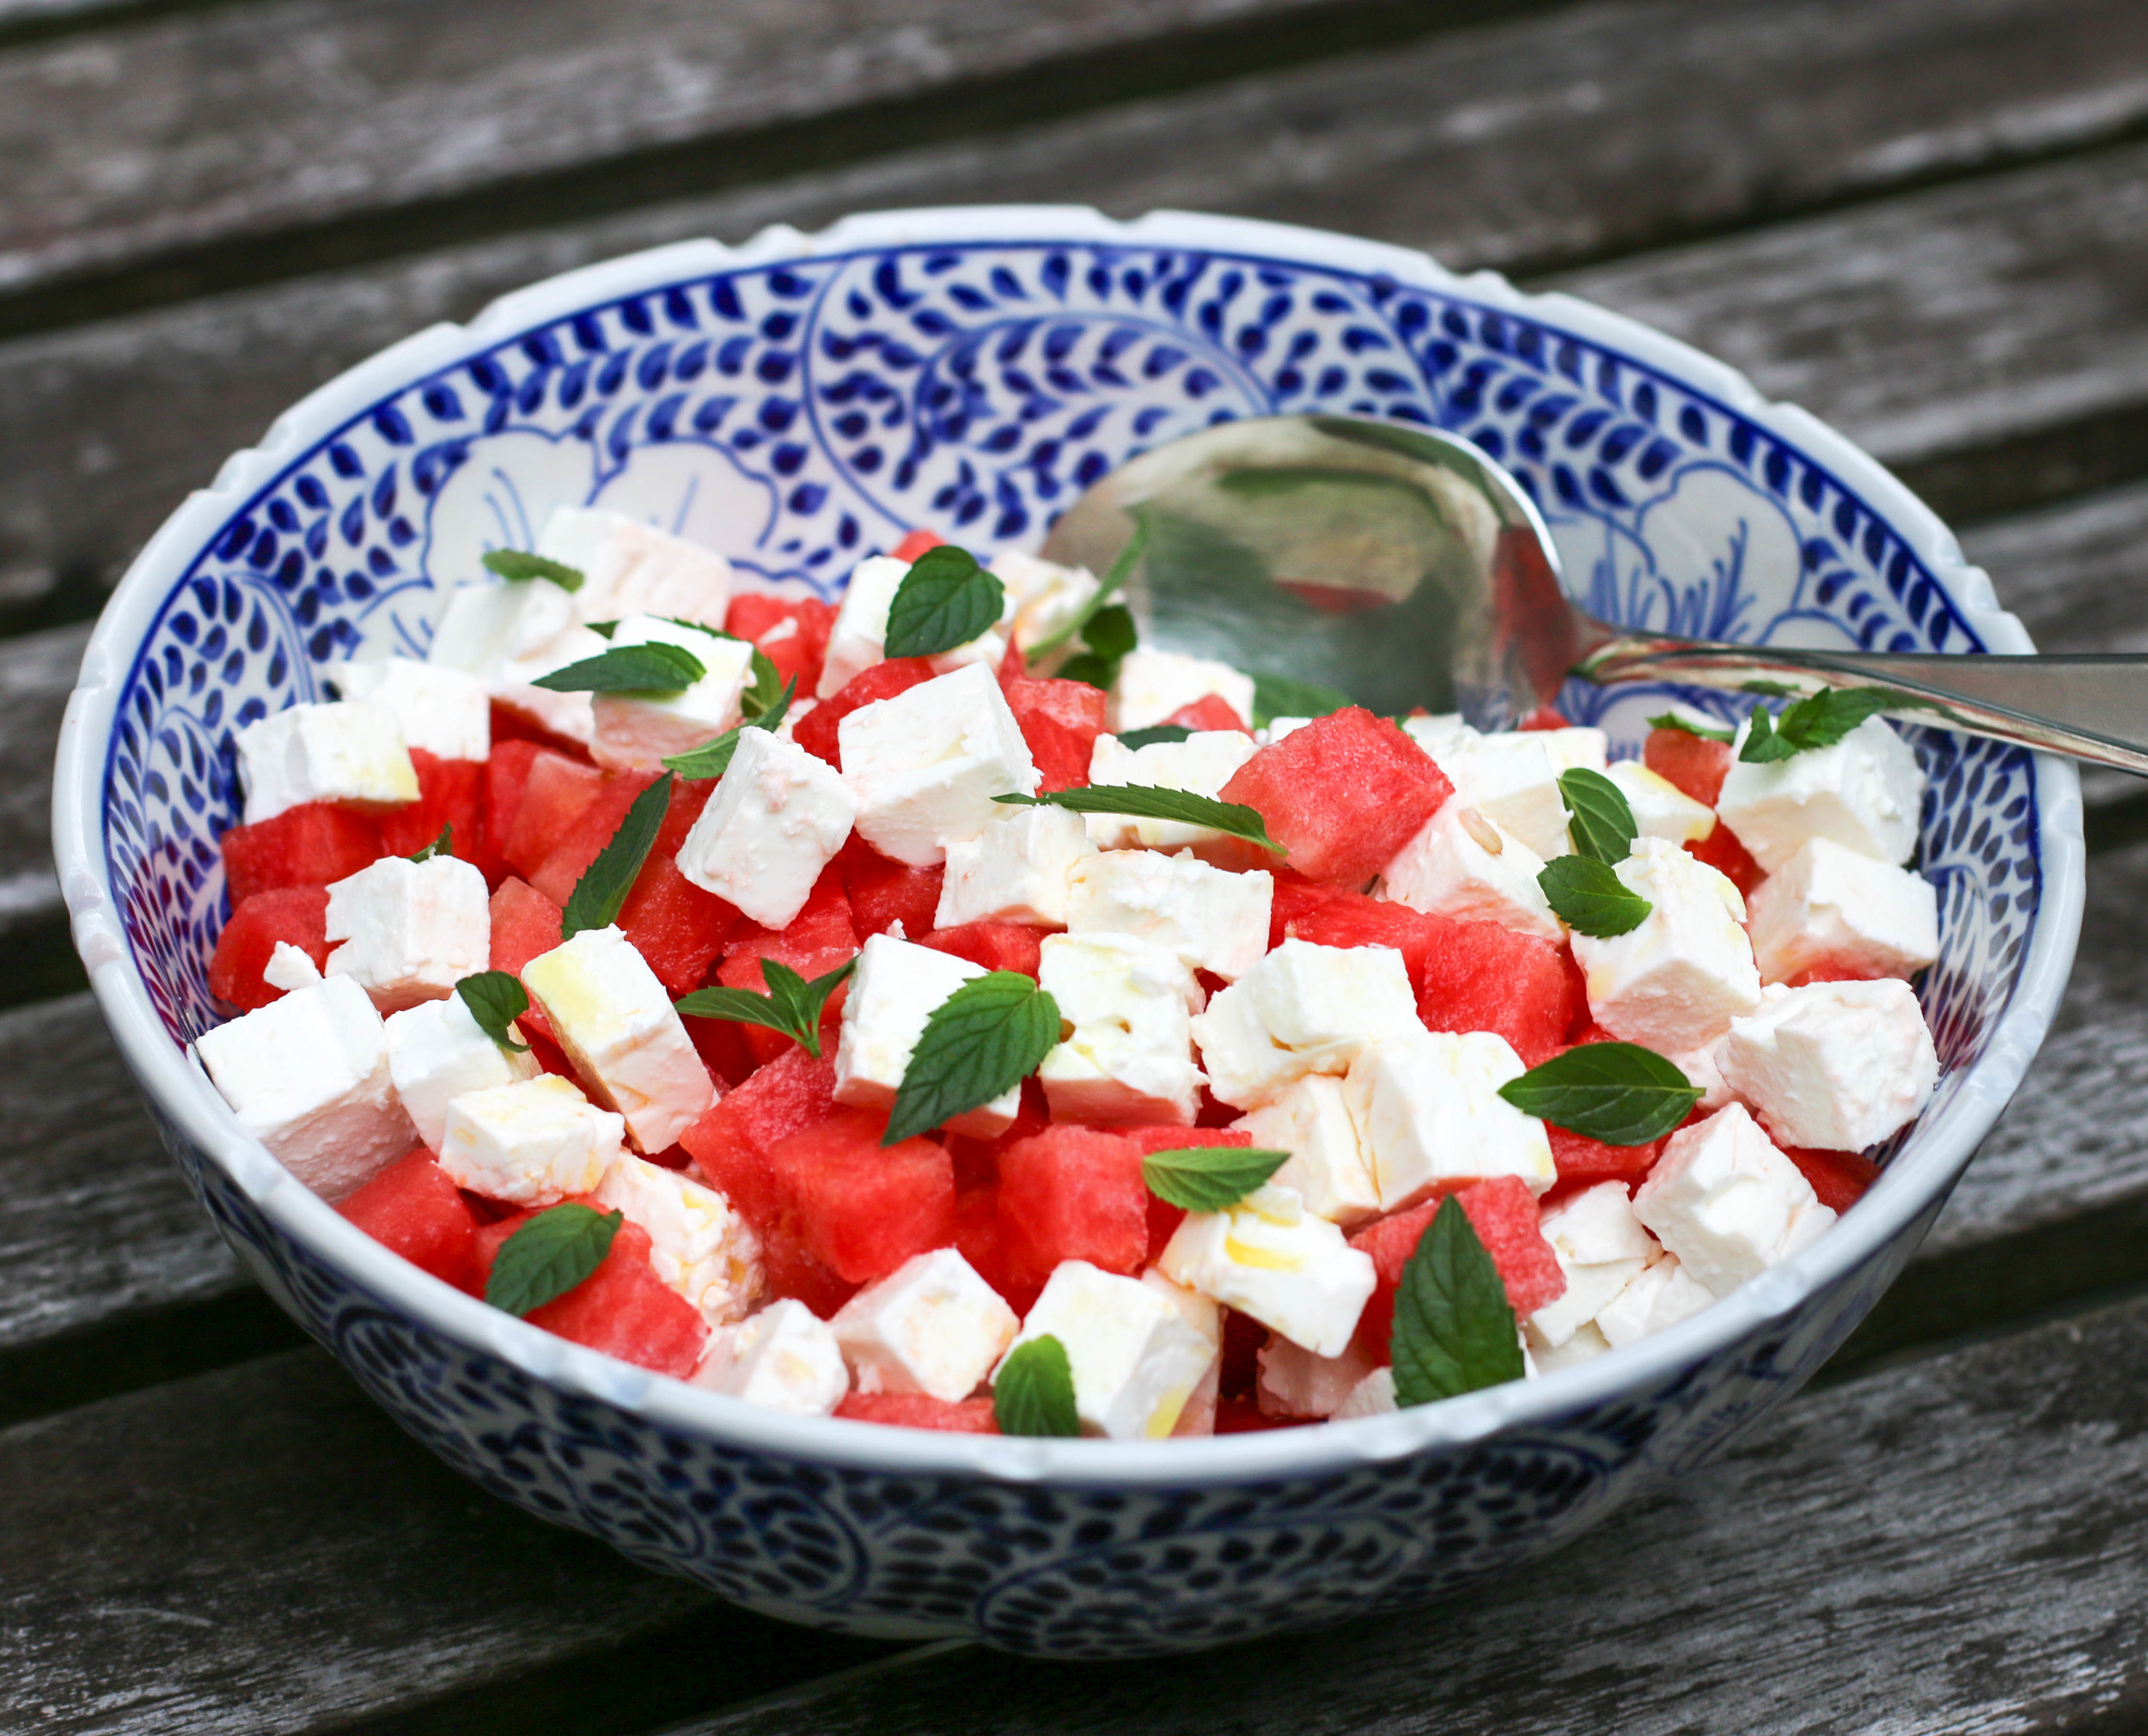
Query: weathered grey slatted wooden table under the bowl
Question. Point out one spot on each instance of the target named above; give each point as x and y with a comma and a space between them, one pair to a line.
1928, 220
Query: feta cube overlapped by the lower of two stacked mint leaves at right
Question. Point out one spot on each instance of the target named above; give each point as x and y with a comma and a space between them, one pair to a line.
1687, 970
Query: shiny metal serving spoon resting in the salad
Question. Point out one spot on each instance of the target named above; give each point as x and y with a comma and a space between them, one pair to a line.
1406, 568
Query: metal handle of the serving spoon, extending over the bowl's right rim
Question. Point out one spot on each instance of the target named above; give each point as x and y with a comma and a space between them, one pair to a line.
2091, 708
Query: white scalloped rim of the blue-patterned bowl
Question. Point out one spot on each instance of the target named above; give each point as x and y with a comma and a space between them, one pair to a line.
182, 1090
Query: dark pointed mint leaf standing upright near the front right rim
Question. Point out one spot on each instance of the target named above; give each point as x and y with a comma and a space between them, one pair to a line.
1453, 1325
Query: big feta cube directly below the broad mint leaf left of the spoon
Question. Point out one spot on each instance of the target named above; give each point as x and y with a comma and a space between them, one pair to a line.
925, 766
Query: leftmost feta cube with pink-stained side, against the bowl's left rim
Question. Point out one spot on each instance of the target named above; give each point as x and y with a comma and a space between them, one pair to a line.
308, 1075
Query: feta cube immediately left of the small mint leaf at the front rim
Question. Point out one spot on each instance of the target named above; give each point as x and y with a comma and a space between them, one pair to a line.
929, 1327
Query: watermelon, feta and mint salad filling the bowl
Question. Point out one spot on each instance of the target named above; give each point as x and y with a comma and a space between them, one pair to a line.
944, 1011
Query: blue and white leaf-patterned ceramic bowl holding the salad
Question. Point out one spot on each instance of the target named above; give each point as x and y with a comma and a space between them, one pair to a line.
800, 403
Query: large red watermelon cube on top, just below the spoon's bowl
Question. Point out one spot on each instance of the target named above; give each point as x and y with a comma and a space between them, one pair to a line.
1341, 796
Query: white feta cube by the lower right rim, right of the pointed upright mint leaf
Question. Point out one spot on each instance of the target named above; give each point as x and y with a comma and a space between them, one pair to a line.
1728, 1204
